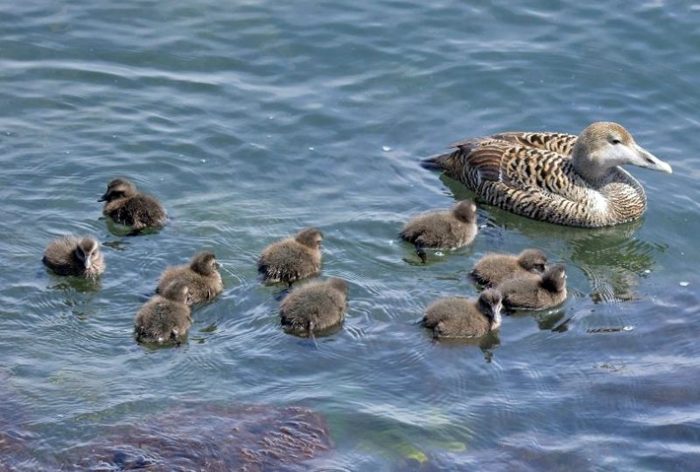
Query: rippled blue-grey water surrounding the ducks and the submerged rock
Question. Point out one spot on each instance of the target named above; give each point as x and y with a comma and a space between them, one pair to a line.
253, 119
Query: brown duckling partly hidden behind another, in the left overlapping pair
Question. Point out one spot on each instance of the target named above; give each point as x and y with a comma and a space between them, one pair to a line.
201, 276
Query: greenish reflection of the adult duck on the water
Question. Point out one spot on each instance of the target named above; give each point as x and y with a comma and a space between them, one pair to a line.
612, 259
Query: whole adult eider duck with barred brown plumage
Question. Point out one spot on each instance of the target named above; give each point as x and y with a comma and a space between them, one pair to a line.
555, 177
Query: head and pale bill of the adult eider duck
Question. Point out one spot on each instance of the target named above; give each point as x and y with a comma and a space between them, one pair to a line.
604, 145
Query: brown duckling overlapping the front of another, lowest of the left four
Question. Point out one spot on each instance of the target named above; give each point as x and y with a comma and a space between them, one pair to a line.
165, 318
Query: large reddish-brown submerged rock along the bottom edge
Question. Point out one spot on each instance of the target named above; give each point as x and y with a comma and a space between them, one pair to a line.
209, 437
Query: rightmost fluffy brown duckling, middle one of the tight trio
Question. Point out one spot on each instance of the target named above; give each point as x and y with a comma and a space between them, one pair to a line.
535, 292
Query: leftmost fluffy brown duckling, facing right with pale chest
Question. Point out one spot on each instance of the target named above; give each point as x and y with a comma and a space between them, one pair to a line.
74, 255
